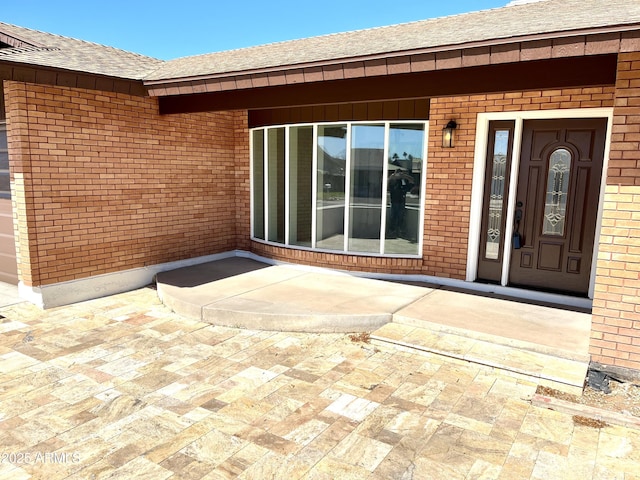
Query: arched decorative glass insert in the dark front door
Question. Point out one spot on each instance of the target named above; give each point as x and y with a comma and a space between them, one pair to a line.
557, 189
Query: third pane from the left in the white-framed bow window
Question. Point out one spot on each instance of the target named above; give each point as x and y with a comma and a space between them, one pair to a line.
300, 185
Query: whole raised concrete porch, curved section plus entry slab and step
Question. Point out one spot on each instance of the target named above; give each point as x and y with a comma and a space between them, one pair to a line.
544, 342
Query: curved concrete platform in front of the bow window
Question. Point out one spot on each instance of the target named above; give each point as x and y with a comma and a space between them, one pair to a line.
282, 298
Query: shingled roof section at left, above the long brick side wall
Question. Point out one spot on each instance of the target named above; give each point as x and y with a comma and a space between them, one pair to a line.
33, 47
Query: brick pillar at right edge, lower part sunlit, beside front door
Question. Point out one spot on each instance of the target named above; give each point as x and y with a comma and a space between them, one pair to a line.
615, 337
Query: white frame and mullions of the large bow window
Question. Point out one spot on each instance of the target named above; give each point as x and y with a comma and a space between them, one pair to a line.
387, 124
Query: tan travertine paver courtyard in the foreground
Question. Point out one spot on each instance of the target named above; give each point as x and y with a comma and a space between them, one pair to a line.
121, 387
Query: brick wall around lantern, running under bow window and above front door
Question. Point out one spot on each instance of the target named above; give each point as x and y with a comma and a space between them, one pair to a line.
448, 193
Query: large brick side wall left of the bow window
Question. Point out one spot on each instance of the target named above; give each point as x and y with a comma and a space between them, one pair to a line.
103, 183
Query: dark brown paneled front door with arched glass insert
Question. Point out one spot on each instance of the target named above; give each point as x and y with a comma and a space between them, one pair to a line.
557, 203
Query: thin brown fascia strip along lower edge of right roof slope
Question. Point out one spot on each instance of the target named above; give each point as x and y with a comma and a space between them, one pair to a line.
440, 49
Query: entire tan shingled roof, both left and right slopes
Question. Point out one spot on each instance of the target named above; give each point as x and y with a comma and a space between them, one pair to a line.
543, 19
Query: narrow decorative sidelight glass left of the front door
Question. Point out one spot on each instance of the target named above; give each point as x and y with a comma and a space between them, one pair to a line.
496, 198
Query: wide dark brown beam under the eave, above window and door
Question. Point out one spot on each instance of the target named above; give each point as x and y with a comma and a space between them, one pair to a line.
596, 70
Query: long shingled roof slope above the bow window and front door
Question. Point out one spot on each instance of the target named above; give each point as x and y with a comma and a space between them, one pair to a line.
543, 19
